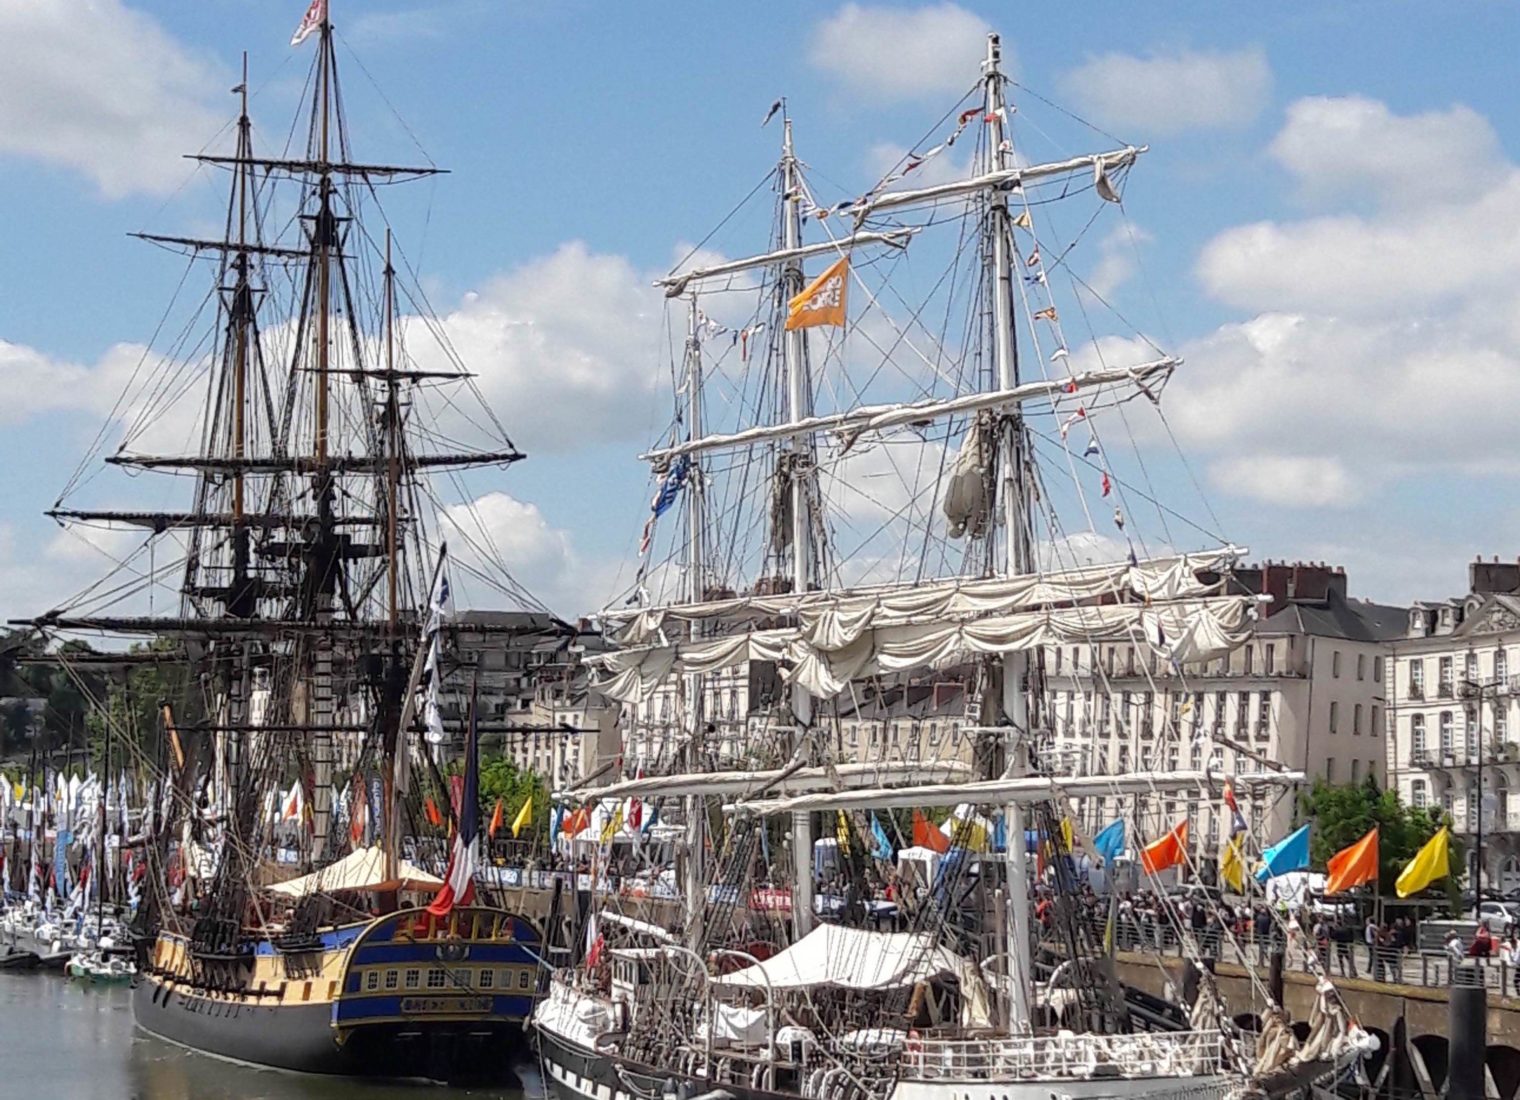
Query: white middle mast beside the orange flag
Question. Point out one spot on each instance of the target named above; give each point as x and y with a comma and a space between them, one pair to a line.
794, 367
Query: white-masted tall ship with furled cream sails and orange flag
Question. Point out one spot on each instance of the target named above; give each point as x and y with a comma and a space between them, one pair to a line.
893, 479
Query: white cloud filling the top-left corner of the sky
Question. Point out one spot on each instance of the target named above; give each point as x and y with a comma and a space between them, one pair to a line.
103, 90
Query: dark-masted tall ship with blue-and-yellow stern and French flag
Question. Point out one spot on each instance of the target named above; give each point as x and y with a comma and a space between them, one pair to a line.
294, 902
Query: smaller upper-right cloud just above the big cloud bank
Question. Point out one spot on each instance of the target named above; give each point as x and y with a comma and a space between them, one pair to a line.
1355, 147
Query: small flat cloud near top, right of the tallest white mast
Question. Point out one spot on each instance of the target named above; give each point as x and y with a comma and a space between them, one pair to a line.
1174, 92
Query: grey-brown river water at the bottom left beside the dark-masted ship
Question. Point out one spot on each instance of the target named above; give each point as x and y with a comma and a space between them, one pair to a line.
71, 1042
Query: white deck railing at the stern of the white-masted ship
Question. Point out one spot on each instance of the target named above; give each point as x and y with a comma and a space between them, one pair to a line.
1065, 1057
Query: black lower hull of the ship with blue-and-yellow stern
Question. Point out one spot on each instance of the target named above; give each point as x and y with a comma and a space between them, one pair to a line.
302, 1038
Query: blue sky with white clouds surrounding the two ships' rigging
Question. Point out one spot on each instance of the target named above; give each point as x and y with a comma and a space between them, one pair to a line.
1326, 230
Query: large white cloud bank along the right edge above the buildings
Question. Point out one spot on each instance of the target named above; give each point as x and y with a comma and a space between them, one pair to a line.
1366, 329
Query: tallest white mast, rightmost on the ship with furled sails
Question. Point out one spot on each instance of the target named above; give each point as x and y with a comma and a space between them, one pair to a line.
1018, 558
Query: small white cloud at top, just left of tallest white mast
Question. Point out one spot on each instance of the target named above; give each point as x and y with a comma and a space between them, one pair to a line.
902, 52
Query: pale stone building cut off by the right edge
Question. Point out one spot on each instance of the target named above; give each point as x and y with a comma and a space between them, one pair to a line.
1455, 704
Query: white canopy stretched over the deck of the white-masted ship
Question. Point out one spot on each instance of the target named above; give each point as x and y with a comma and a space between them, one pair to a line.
853, 959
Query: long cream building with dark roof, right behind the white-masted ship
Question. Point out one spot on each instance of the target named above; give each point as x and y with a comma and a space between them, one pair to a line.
1308, 692
